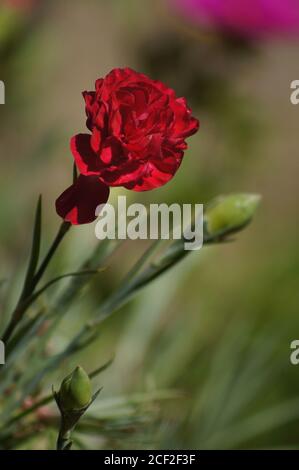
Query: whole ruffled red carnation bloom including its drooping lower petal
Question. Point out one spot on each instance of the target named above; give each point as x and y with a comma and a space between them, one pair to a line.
137, 138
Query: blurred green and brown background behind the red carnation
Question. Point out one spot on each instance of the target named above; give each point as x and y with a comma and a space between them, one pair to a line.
202, 355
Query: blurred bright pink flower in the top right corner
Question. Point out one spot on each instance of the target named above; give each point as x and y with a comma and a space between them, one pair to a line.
248, 18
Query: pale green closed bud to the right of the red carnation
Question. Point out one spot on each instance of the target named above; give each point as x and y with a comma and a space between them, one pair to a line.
230, 213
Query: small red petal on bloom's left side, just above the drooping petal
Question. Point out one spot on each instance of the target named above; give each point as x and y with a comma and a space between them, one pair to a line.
86, 159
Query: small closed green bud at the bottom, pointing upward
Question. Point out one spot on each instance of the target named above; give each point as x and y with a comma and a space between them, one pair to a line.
75, 392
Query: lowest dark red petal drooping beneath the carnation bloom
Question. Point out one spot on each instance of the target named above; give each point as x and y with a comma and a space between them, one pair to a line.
78, 203
